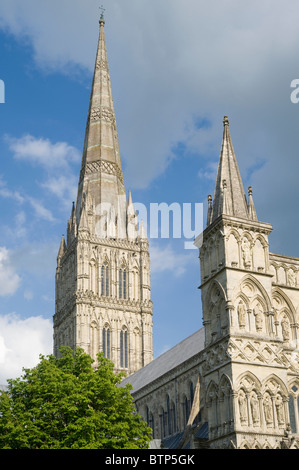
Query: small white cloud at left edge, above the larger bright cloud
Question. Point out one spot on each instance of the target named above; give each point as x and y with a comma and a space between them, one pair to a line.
9, 279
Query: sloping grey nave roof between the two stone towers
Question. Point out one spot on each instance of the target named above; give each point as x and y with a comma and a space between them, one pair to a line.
172, 358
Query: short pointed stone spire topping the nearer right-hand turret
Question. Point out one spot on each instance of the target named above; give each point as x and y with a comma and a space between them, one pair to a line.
229, 196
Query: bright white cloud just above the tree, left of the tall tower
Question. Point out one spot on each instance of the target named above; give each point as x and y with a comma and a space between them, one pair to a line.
21, 343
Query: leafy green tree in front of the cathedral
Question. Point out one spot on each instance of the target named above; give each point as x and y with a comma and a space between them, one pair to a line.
68, 403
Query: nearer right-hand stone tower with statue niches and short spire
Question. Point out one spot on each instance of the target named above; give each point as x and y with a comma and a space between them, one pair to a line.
250, 320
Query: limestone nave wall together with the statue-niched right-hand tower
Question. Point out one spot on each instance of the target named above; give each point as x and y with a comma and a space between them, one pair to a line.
247, 367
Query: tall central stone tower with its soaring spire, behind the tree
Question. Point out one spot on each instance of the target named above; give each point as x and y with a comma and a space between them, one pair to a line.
103, 300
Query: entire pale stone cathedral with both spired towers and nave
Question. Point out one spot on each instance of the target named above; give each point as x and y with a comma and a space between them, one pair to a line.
233, 384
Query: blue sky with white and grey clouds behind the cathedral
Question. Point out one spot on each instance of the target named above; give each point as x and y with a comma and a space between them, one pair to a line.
176, 69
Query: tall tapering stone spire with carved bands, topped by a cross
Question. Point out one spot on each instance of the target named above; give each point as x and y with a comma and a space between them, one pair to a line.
101, 176
